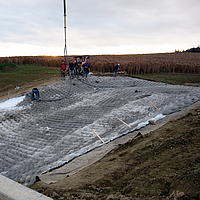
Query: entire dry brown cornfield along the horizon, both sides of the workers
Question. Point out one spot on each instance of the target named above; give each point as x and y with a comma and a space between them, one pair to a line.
132, 64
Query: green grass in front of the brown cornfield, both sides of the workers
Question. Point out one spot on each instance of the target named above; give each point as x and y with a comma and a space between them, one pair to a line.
26, 74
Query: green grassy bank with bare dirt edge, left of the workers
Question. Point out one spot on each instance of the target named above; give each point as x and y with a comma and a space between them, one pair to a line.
24, 77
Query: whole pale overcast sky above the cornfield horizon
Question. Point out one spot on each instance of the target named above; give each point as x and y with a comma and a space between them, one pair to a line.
98, 26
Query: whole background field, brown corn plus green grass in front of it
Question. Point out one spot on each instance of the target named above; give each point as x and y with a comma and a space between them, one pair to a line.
173, 68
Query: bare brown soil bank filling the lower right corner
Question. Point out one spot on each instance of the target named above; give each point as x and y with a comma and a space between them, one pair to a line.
163, 164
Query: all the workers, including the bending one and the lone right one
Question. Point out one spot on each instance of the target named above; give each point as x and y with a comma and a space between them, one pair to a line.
74, 70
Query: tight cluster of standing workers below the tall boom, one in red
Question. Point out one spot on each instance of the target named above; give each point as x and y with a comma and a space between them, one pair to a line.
74, 69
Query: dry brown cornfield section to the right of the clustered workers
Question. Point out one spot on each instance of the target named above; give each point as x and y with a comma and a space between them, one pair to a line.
148, 63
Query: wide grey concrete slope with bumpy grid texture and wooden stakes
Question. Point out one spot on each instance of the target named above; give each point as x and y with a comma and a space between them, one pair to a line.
36, 137
